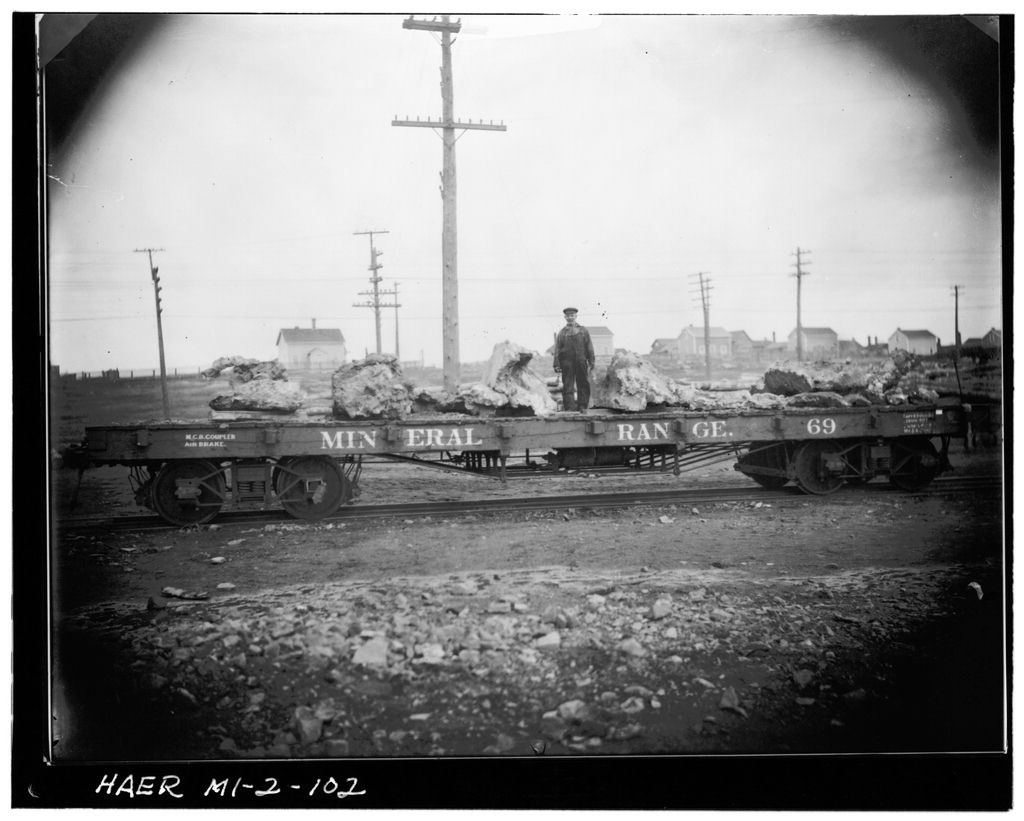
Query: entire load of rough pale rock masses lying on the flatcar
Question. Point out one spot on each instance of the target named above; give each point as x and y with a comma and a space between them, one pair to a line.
374, 388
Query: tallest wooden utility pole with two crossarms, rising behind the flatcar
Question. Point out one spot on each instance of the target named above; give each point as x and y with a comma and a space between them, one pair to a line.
448, 124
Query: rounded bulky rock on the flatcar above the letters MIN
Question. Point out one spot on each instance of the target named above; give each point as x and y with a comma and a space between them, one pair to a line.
371, 388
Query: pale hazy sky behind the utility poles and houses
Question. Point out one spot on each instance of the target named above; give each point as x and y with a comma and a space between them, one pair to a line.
642, 151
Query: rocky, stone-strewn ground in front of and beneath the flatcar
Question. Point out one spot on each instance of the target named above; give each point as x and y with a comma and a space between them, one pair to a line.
856, 623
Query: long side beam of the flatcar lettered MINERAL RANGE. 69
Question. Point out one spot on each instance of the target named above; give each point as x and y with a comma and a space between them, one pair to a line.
147, 442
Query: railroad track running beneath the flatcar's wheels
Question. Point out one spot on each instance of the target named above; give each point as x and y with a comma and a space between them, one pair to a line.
681, 497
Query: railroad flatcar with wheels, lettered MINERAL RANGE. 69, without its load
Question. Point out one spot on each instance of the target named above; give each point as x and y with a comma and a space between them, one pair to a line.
188, 471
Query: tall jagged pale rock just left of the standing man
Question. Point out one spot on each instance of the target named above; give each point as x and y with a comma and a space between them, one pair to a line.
509, 386
